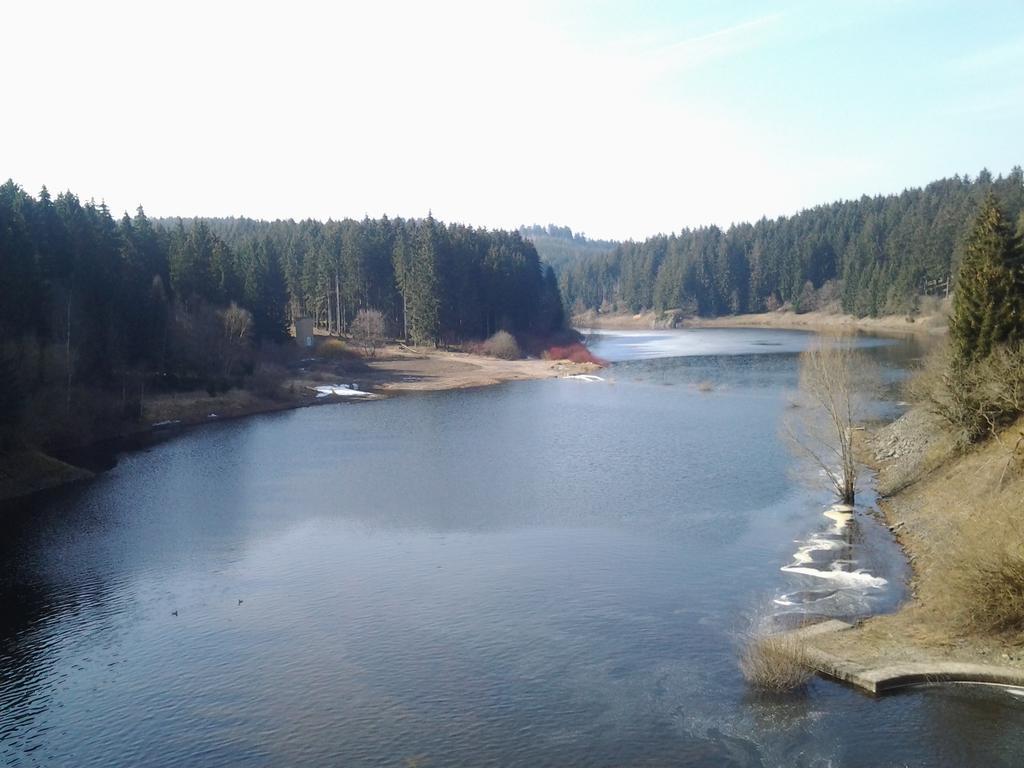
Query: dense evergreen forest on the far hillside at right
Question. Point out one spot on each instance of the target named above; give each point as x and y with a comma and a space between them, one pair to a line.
869, 258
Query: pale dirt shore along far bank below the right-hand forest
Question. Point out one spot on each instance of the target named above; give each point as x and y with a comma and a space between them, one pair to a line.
930, 324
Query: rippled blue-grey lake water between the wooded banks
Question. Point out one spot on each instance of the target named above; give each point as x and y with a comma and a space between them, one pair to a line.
540, 574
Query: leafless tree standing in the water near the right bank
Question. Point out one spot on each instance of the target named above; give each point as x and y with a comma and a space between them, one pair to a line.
834, 382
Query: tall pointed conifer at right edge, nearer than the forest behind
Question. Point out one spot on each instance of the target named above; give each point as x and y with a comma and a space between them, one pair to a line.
990, 300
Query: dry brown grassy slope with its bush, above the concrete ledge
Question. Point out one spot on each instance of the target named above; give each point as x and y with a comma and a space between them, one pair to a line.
959, 517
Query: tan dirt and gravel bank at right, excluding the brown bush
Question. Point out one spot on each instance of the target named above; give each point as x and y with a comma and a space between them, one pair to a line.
948, 510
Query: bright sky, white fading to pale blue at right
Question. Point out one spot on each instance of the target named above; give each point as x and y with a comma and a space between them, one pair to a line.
620, 120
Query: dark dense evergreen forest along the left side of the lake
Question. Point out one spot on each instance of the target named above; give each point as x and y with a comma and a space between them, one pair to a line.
91, 305
